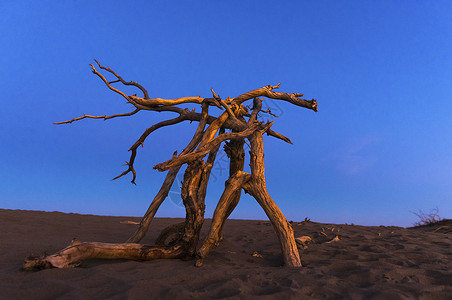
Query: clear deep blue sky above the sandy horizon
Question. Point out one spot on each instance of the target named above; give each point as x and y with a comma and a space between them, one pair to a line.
379, 148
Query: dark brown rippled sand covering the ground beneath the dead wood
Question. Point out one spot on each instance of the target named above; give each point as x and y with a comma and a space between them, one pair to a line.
367, 263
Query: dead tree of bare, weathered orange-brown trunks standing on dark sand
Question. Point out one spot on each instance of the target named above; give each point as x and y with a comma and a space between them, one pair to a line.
233, 125
